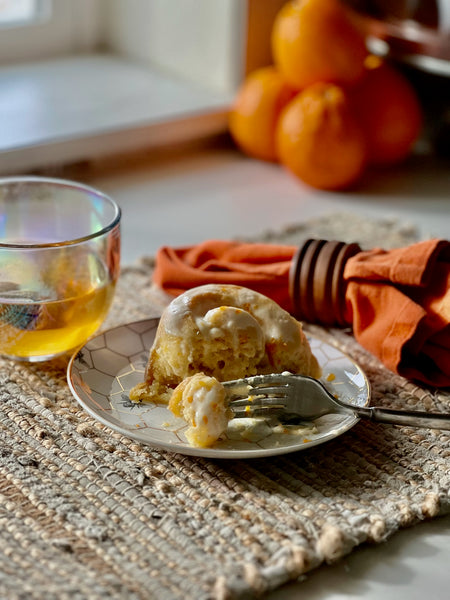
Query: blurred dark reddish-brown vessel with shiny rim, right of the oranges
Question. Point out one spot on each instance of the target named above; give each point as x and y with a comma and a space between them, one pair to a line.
415, 35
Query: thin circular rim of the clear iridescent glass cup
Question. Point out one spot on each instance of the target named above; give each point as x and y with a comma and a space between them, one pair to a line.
63, 183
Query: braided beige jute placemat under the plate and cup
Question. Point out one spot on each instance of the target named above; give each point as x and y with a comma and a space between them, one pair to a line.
89, 513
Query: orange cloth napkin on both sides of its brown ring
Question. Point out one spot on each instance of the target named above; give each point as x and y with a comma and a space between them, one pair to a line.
397, 301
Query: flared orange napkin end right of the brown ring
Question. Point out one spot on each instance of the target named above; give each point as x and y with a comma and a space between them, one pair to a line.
399, 307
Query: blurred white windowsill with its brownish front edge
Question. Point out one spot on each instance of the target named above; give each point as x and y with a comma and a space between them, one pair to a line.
77, 108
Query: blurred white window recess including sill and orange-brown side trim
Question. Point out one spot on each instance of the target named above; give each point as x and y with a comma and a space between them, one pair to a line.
48, 136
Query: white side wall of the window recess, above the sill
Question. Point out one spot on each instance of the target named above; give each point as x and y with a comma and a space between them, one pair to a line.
199, 40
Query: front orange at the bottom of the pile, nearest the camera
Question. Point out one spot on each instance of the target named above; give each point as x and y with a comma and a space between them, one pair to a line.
319, 140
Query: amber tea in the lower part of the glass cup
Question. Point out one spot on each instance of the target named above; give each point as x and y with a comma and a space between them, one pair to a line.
69, 308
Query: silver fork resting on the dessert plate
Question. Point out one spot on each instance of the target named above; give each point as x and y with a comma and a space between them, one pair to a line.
296, 398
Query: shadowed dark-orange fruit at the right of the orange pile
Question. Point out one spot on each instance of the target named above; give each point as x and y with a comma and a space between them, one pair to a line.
389, 111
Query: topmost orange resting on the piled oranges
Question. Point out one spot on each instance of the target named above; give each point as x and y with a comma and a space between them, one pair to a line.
316, 41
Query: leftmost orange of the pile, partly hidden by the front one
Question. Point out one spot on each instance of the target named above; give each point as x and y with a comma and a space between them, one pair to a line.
258, 104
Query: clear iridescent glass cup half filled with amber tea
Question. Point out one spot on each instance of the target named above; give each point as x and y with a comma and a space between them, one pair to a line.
59, 263
